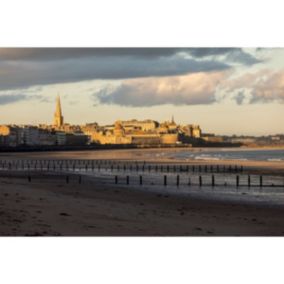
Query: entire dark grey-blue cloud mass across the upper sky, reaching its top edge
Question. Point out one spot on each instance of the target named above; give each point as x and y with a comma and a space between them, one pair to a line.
25, 67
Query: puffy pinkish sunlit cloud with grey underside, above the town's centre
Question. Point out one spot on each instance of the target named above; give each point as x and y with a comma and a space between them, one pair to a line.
191, 89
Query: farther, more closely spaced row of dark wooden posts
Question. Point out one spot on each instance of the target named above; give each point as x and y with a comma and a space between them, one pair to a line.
57, 165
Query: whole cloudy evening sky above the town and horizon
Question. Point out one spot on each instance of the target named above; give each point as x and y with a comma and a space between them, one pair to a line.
224, 90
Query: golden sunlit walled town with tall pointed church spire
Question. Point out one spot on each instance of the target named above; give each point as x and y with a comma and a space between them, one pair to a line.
136, 132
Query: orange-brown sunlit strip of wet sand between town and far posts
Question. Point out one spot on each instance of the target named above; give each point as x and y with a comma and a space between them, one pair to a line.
153, 156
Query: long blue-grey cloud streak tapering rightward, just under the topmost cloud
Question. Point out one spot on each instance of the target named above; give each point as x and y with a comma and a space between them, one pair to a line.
25, 74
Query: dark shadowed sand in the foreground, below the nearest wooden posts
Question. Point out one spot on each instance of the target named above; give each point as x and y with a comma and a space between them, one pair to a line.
50, 207
